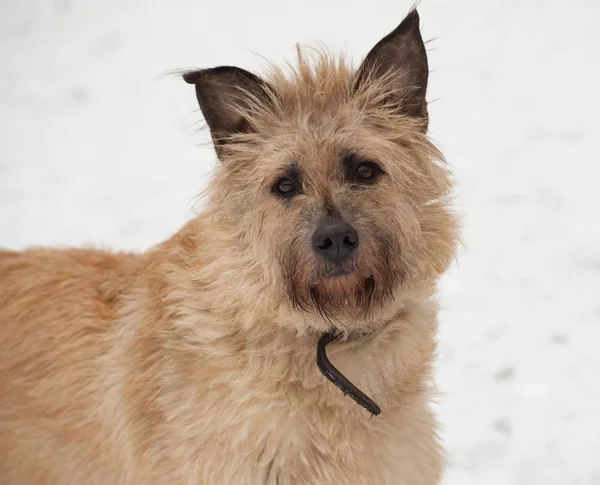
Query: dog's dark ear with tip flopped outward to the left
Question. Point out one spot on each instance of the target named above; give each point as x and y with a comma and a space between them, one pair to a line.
224, 93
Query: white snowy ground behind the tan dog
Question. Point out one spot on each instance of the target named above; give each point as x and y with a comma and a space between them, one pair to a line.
96, 148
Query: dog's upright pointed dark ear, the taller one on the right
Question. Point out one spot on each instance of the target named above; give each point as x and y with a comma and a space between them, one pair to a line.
400, 55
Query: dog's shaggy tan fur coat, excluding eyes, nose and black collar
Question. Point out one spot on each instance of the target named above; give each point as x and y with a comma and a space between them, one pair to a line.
194, 363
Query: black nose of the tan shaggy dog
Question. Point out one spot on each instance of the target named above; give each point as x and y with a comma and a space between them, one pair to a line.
334, 239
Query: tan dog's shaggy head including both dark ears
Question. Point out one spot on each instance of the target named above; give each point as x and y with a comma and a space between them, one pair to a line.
329, 179
